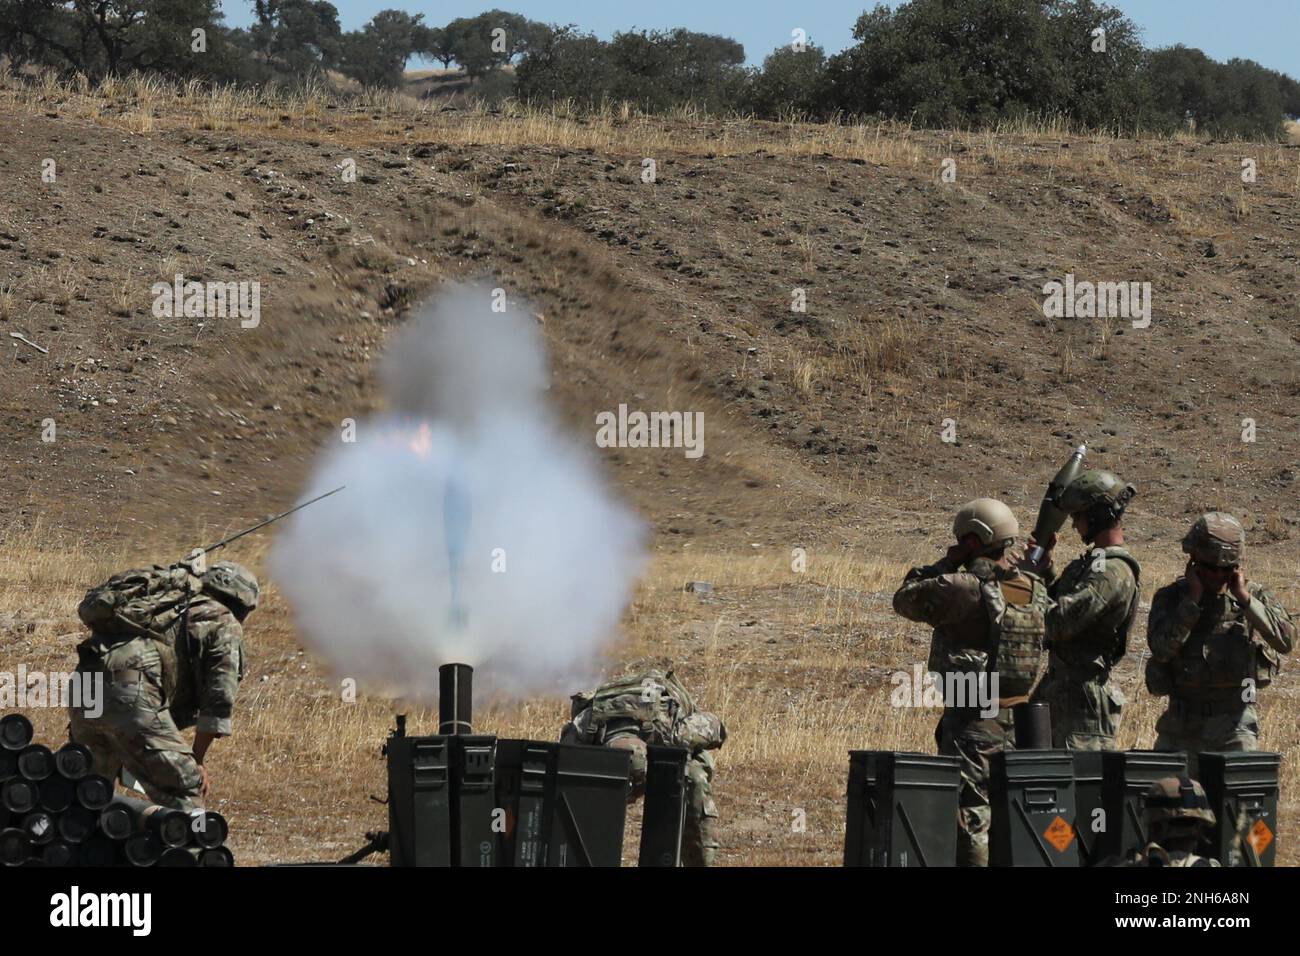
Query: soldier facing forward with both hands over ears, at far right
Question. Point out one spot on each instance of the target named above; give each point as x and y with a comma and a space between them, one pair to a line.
1215, 642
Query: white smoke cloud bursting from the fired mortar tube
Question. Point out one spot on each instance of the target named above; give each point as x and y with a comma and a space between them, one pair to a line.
465, 475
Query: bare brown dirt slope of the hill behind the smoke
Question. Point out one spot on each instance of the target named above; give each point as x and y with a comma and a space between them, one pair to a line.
925, 304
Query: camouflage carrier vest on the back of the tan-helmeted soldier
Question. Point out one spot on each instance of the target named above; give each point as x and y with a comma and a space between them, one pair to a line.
1017, 612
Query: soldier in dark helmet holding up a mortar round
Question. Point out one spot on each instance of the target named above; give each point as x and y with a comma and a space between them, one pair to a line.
1097, 600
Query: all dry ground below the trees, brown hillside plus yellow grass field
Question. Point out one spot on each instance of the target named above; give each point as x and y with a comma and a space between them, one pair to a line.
824, 427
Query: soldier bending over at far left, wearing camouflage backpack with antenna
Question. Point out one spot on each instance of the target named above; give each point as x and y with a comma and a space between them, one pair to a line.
170, 646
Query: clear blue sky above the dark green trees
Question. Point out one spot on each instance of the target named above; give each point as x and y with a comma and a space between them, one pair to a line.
1263, 31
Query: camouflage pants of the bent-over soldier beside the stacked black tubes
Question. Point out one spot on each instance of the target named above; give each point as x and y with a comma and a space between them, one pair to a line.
135, 732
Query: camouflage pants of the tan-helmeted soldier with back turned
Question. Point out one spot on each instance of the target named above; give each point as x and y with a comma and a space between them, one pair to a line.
976, 739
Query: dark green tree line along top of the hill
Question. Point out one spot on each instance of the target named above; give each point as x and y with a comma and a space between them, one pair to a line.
931, 63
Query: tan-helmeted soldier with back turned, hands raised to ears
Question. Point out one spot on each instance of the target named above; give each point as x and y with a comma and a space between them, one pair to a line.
950, 598
